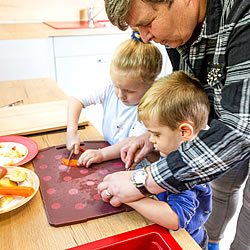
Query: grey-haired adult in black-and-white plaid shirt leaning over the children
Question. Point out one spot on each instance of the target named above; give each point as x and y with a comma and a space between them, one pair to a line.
211, 41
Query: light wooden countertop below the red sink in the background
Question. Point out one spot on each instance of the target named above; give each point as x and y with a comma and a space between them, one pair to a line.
12, 31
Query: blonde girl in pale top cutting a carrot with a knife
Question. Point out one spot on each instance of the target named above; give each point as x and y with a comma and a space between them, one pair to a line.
134, 67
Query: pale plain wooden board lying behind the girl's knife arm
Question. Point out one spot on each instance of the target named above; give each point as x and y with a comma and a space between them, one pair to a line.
35, 118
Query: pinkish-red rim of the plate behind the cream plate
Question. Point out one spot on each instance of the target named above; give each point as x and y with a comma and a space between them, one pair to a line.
28, 143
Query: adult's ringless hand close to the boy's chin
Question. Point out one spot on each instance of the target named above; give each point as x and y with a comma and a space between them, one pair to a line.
130, 154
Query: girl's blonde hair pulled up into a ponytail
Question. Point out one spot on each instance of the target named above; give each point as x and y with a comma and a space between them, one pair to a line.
140, 60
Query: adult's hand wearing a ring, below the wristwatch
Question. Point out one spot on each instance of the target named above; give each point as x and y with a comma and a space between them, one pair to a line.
117, 188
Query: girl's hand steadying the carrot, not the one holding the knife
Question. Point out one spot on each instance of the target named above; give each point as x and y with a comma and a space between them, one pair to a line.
90, 156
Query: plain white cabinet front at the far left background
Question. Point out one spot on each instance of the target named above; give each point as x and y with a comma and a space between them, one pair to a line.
26, 59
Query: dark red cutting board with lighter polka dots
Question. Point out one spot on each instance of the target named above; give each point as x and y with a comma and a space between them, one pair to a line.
70, 193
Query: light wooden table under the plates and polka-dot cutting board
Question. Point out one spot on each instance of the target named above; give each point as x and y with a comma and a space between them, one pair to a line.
27, 227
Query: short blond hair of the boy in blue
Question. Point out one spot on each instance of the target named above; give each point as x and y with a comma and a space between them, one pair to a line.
173, 99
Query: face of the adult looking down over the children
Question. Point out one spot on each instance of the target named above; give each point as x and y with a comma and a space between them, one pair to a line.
173, 26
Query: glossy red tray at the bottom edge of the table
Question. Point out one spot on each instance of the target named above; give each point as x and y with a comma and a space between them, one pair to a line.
151, 237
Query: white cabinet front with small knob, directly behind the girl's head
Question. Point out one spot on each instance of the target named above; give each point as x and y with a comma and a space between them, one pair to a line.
82, 61
